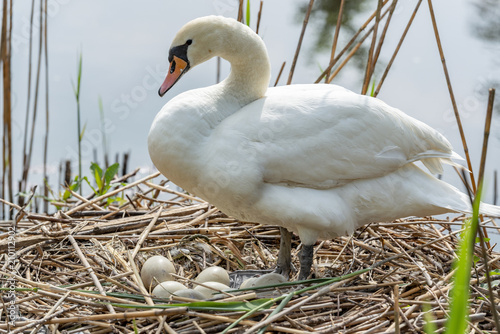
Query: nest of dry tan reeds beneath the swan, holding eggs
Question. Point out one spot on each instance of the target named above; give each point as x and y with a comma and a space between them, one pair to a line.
77, 271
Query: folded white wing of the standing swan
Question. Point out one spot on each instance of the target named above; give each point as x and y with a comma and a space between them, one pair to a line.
324, 136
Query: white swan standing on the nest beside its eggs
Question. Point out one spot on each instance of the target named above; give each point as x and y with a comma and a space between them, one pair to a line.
317, 160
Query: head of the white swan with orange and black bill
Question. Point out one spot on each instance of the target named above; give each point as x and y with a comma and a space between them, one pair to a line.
206, 37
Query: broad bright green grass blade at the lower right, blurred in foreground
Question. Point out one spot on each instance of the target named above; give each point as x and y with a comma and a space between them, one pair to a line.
459, 308
